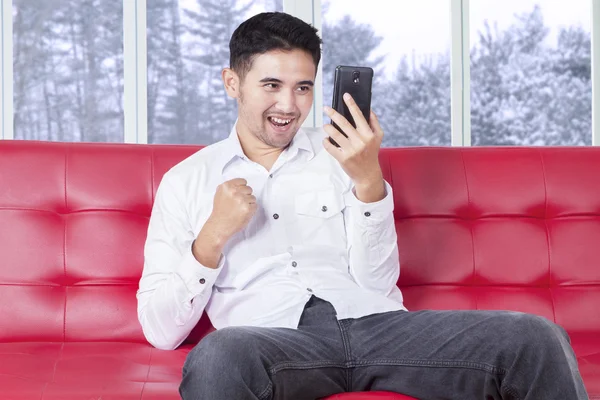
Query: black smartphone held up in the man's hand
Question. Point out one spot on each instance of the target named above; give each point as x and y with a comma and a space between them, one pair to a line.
358, 82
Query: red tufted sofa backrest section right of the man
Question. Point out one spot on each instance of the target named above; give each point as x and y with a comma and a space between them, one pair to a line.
500, 228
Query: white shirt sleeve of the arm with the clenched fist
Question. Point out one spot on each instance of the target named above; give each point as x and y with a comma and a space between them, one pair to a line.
174, 288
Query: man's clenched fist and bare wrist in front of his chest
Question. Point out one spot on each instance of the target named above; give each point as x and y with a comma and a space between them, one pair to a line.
233, 208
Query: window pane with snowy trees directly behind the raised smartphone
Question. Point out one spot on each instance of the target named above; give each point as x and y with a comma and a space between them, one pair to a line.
408, 46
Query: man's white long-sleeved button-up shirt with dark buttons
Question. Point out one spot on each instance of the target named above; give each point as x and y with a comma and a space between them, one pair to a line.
309, 236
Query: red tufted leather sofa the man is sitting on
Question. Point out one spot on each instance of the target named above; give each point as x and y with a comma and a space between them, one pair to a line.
478, 228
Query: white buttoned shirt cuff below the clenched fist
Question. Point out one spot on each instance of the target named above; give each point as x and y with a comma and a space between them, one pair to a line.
196, 277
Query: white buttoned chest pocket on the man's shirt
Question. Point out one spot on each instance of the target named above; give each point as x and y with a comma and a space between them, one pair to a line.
319, 218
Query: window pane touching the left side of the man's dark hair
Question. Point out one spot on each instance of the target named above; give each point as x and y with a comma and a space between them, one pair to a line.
188, 46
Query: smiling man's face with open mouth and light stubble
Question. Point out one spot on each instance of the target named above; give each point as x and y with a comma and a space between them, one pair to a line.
276, 95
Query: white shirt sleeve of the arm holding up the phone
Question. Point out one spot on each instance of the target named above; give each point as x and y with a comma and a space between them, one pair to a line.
372, 242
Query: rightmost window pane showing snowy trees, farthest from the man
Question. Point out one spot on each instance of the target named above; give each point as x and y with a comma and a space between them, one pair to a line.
531, 72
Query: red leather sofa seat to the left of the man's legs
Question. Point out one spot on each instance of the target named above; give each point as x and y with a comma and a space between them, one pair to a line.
90, 370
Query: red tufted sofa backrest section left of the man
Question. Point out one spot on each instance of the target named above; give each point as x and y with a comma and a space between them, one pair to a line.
73, 220
